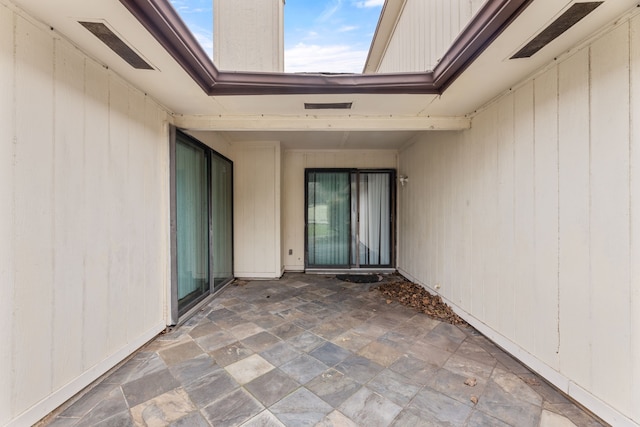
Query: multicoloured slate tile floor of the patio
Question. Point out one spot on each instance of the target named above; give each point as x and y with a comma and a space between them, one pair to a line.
310, 350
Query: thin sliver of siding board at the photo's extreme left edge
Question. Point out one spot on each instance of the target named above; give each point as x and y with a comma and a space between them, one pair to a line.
7, 185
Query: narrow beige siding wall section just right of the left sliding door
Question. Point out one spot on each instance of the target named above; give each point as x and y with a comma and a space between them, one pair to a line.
256, 216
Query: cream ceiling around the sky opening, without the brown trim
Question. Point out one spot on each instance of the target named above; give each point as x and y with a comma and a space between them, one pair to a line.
490, 74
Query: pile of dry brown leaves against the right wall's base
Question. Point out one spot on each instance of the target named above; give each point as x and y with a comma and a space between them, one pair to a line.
417, 297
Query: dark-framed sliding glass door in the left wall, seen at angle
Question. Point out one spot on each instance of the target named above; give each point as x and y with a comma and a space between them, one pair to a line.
202, 240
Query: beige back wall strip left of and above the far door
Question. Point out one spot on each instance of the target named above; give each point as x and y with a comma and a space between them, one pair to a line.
294, 164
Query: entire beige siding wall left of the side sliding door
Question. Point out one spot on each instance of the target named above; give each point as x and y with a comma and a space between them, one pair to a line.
83, 241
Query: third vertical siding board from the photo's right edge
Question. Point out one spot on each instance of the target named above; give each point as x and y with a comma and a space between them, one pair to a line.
573, 157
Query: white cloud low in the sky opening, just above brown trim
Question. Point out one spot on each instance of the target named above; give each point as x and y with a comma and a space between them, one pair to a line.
326, 59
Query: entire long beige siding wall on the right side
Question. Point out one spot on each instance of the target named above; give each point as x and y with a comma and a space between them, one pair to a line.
529, 222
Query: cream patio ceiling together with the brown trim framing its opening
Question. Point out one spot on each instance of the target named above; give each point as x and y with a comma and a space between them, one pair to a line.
386, 109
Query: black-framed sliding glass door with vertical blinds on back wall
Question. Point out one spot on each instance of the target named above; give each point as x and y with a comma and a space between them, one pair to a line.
349, 218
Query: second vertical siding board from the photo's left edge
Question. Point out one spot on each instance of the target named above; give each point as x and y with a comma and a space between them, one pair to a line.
34, 215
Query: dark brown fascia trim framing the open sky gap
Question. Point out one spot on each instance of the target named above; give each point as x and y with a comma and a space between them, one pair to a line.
163, 22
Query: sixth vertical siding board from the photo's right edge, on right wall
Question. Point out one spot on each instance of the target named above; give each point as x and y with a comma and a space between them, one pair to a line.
505, 216
